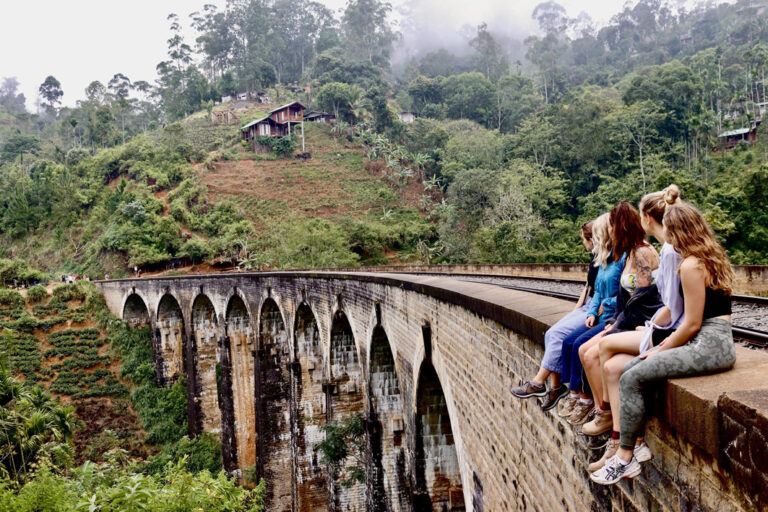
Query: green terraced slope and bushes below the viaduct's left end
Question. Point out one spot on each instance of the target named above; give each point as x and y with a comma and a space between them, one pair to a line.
45, 440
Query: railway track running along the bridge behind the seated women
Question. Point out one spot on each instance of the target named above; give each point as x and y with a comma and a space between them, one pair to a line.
750, 313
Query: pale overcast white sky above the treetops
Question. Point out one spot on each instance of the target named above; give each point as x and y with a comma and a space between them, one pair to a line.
78, 41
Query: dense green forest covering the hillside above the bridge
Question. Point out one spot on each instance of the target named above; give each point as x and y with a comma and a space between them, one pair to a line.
514, 147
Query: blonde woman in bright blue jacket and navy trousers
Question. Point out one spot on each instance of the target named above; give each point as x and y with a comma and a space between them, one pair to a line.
603, 306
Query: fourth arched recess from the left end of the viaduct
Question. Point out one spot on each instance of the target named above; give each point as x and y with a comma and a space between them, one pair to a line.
240, 349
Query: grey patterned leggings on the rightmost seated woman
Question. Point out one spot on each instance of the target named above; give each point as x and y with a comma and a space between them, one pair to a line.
710, 351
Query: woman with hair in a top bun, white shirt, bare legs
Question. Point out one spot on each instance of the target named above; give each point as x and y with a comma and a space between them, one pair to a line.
604, 358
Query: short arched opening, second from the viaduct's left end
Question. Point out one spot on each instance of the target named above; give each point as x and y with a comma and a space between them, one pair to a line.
169, 340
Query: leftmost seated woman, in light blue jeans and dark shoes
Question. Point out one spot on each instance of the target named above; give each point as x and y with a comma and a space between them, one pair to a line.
551, 363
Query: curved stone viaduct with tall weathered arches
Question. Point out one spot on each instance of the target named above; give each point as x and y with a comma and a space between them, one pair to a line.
427, 364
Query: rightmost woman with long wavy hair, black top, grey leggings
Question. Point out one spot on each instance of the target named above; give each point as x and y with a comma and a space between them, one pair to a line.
702, 344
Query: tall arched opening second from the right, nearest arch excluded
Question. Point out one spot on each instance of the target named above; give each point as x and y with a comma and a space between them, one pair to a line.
387, 490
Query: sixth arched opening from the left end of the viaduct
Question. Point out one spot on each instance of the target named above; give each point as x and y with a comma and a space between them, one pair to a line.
312, 488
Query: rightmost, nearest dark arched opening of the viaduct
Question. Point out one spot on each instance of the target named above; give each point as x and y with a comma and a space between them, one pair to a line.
438, 478
